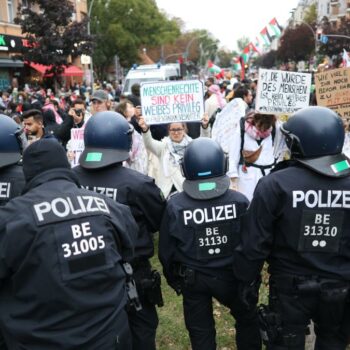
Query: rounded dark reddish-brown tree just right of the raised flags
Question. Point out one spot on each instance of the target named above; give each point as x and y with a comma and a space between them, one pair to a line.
296, 44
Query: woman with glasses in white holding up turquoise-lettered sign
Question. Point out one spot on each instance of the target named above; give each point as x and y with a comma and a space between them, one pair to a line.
169, 152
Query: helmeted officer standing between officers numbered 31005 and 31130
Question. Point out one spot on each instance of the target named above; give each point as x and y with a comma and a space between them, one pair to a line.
108, 138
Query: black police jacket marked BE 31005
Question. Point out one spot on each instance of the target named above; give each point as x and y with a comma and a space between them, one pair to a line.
61, 282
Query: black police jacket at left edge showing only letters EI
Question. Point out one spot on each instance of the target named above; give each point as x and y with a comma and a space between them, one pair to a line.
11, 182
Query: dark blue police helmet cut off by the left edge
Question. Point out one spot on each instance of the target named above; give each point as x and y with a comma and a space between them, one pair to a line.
10, 142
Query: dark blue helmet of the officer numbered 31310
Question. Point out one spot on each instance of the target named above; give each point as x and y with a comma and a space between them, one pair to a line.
315, 137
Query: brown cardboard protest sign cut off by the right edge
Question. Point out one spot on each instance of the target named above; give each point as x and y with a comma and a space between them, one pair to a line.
333, 90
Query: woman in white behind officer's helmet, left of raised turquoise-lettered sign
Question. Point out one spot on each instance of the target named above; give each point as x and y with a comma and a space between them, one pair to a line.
138, 159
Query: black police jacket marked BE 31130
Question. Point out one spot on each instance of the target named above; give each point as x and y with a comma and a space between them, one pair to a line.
201, 234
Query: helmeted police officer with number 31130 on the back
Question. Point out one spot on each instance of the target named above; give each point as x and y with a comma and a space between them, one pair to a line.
200, 228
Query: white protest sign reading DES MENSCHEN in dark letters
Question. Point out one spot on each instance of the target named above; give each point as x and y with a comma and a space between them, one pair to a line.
282, 92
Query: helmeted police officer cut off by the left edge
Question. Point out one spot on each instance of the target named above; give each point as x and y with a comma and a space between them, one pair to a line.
11, 174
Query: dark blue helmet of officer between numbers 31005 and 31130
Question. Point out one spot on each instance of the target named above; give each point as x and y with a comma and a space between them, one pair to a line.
108, 140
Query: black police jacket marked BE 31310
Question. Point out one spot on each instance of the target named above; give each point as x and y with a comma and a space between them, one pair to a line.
299, 221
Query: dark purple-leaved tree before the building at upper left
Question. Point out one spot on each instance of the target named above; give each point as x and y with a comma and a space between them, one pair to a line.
52, 37
